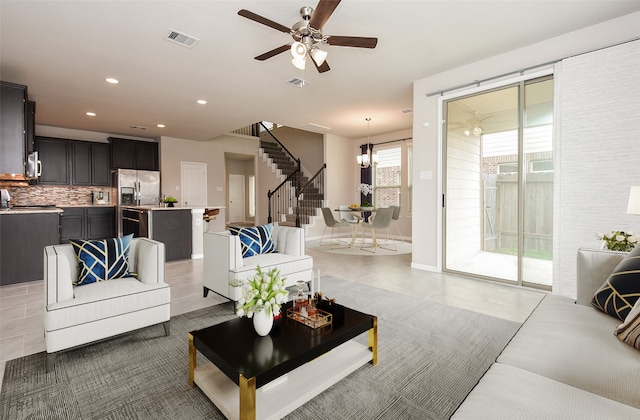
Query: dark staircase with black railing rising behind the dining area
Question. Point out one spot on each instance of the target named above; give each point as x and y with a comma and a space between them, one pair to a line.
308, 202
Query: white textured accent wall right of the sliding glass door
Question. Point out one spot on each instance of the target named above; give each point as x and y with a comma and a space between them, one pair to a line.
597, 152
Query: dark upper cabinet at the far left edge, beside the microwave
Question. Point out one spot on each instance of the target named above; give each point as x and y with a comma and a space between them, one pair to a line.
13, 123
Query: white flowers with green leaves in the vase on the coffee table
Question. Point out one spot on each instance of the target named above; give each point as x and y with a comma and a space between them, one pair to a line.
263, 291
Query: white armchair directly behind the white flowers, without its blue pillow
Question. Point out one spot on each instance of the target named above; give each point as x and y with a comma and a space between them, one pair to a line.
223, 262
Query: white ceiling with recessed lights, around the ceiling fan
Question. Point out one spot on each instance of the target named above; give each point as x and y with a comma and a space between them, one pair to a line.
64, 50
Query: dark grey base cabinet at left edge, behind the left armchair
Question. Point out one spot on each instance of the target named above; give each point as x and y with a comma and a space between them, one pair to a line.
22, 241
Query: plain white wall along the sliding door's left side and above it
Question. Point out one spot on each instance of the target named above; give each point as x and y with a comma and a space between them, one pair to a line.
426, 139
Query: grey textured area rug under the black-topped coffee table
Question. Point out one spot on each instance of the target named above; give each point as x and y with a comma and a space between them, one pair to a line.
430, 357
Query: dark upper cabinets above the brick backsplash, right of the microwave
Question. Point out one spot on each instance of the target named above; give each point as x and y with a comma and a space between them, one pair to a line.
73, 162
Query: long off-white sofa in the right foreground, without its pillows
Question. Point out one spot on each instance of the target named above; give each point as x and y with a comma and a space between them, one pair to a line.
564, 362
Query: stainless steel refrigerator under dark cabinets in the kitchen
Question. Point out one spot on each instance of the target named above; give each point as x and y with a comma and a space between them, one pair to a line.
135, 188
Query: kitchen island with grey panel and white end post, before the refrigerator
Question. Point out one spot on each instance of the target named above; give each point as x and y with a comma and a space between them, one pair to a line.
179, 228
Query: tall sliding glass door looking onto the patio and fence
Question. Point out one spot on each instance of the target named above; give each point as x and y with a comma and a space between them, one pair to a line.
499, 184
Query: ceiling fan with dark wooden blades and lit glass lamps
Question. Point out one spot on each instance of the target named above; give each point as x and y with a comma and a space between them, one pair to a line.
308, 37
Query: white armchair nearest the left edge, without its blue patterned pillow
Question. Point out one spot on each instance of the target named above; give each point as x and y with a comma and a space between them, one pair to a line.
77, 315
